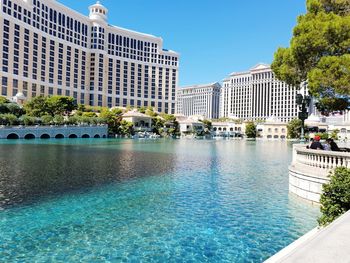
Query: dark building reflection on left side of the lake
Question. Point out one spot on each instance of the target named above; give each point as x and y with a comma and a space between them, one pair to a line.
29, 172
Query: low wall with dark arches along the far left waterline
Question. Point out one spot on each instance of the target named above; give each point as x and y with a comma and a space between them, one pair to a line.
58, 132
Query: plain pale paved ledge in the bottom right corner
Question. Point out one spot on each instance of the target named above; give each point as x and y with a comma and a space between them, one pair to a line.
329, 244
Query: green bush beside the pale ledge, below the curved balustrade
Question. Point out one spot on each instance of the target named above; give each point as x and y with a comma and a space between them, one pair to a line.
335, 199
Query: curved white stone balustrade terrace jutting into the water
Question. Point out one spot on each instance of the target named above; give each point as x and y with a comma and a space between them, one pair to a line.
310, 169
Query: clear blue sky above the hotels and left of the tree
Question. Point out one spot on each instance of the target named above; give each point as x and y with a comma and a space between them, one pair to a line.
214, 38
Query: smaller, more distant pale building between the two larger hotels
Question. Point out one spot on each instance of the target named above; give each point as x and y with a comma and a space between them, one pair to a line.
200, 100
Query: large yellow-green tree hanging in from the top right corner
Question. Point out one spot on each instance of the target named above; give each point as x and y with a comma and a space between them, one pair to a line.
319, 53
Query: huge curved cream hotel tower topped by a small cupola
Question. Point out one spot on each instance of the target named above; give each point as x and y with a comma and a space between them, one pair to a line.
49, 49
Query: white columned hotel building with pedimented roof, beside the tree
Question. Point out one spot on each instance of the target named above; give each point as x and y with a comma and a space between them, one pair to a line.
257, 95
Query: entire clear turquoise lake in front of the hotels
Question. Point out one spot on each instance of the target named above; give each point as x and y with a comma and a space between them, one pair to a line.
147, 201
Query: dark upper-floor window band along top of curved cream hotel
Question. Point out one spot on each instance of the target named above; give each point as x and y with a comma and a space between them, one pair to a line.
60, 25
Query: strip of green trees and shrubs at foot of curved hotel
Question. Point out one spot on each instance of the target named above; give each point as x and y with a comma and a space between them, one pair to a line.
62, 110
